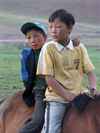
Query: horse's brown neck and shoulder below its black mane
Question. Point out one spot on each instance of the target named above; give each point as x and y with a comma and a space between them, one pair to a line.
86, 121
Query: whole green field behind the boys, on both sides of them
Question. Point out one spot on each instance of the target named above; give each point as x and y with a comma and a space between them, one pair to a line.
10, 75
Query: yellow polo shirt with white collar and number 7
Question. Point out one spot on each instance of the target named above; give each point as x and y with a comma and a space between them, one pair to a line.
66, 64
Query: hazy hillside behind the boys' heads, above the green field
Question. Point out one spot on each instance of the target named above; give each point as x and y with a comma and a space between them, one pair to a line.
14, 13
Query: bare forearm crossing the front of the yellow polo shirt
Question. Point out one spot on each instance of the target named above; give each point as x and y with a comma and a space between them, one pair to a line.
58, 88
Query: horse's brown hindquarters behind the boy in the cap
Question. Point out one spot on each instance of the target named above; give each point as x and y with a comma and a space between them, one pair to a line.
13, 113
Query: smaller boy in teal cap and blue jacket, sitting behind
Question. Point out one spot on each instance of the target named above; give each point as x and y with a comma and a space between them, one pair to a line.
34, 85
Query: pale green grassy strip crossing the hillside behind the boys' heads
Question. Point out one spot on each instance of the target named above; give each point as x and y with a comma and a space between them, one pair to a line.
20, 19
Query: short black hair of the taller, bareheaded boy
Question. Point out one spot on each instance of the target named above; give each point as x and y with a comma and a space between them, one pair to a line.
64, 16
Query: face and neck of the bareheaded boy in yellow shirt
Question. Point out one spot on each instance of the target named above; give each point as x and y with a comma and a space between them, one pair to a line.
59, 31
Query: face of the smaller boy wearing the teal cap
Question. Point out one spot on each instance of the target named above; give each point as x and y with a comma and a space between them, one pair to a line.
35, 39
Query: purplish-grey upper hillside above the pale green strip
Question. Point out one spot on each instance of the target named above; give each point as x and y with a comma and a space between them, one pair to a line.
85, 11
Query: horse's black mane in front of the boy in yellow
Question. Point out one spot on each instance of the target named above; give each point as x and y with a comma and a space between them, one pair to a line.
81, 101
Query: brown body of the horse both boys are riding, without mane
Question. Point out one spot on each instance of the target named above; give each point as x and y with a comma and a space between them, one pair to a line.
14, 112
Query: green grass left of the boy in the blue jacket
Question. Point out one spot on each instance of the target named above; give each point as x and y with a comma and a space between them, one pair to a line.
10, 76
